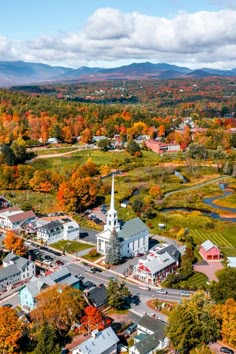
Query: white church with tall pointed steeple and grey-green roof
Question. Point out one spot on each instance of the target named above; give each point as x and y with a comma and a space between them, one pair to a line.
133, 235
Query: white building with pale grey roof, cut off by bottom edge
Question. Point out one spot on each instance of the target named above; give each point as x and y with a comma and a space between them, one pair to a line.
104, 342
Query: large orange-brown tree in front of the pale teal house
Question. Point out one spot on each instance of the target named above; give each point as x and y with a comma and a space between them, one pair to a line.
59, 306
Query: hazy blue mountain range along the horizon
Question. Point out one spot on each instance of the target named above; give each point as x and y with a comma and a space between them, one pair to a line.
25, 73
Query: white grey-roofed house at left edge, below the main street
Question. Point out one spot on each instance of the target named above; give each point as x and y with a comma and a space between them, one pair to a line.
15, 271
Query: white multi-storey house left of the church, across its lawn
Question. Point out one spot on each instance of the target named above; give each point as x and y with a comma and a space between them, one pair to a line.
57, 230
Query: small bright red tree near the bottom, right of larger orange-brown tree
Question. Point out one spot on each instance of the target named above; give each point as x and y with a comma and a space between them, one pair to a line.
93, 319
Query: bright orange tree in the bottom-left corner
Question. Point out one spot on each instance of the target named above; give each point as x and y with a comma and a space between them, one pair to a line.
11, 330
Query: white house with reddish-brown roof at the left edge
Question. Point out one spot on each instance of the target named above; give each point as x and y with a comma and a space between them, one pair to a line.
13, 218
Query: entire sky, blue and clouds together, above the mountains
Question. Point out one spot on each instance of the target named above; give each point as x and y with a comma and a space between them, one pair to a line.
194, 33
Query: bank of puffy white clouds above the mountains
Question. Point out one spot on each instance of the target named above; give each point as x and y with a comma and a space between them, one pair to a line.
110, 36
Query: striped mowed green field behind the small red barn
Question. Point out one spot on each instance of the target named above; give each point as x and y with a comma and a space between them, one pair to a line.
225, 240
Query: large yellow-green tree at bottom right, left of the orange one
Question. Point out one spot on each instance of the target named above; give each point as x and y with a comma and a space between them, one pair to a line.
193, 323
